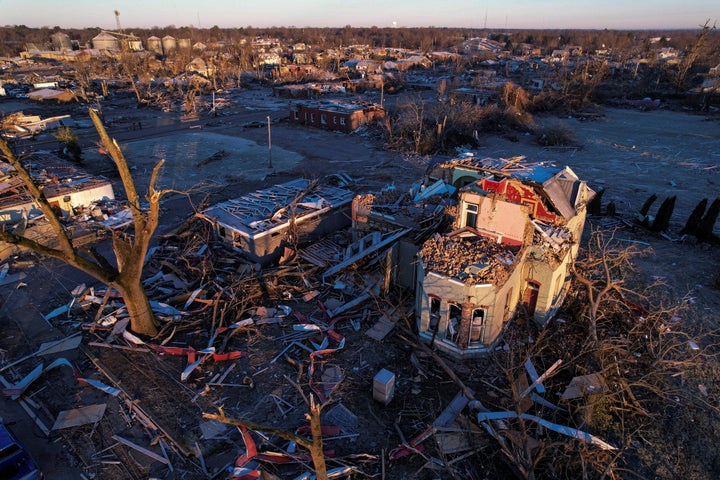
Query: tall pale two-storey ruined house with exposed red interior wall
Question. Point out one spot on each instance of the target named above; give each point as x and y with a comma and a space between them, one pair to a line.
515, 236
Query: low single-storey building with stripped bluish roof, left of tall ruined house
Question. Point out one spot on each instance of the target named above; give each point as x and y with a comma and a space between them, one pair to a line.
260, 224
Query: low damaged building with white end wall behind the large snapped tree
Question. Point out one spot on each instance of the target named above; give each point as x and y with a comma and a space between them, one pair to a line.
66, 188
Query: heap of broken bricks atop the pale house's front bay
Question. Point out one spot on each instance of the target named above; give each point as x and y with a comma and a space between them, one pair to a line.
471, 259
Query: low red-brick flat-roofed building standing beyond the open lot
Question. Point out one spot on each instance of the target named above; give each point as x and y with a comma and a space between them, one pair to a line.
342, 117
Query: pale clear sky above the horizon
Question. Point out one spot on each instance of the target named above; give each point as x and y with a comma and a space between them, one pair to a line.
497, 14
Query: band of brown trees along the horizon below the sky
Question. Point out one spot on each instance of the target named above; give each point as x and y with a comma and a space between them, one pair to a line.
14, 38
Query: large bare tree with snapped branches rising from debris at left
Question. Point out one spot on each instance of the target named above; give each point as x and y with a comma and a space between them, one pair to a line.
129, 250
